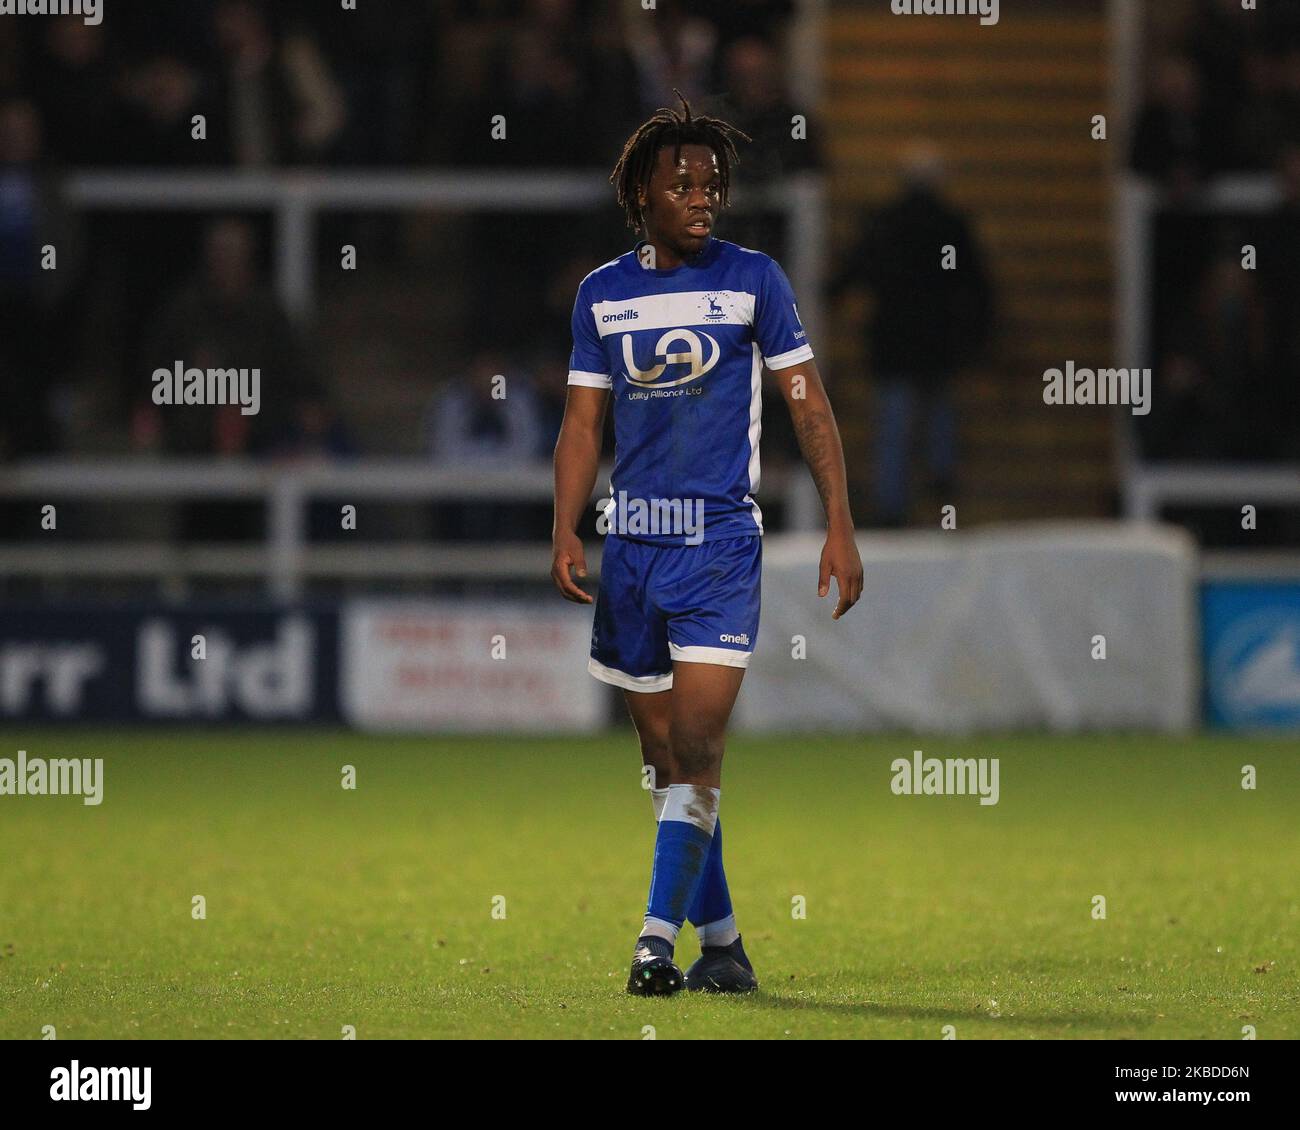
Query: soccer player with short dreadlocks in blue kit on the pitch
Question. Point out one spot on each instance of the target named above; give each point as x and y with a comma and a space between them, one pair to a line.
678, 331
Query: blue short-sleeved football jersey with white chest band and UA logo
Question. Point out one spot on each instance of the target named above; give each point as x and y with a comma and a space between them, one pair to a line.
683, 352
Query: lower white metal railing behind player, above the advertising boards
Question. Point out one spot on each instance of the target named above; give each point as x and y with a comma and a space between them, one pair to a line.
288, 558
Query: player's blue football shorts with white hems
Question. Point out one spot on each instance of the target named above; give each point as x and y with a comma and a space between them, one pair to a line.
660, 604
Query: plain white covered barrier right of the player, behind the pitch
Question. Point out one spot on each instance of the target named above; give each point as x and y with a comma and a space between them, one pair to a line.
994, 630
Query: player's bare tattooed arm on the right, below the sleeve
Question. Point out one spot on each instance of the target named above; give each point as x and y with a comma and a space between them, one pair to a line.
820, 441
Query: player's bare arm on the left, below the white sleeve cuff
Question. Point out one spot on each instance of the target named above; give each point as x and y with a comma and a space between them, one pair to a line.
578, 461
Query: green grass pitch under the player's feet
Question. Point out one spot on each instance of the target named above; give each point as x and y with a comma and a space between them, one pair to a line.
374, 907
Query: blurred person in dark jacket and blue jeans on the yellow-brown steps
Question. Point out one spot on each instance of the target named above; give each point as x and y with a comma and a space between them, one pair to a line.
929, 323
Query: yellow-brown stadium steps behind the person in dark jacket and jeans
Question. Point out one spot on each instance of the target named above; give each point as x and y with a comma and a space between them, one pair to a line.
1012, 109
